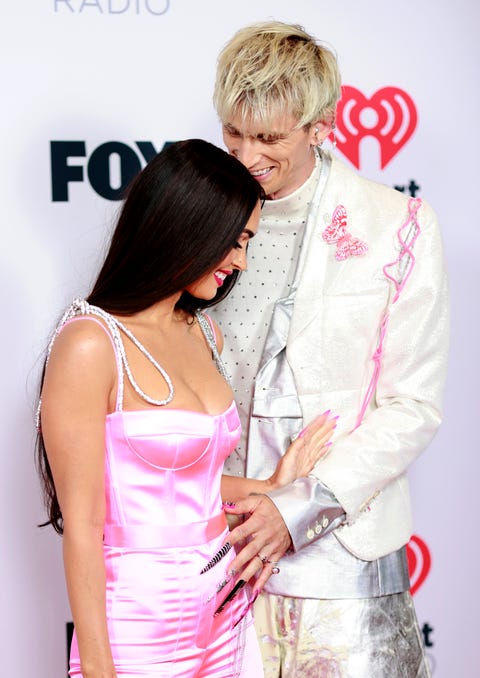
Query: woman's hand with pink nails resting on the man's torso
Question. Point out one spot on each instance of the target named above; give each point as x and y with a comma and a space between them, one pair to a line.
302, 455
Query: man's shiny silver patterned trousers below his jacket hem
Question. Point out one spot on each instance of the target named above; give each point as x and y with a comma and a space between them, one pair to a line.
354, 638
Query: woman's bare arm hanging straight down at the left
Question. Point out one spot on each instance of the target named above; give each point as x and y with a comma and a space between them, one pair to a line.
77, 393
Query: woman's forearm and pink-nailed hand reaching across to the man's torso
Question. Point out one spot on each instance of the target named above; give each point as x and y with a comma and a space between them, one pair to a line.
298, 461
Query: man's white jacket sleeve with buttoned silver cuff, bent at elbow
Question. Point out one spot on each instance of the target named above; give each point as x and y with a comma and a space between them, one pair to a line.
405, 410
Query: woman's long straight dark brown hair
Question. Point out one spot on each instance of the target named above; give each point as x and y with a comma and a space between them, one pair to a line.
181, 216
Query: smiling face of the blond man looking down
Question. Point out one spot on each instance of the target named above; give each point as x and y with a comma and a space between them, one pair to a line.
278, 155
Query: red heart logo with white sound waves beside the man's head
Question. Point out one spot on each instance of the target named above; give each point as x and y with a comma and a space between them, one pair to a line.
390, 116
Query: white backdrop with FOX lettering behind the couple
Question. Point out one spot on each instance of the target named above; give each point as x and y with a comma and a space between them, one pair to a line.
127, 71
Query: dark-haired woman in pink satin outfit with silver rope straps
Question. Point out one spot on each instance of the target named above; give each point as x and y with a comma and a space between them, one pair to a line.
135, 422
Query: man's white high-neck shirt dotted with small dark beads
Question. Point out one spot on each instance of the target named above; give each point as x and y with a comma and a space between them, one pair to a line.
272, 261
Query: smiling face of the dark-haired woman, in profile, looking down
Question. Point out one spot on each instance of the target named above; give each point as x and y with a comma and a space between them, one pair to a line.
206, 287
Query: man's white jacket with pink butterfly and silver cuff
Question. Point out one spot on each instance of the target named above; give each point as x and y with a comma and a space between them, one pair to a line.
368, 339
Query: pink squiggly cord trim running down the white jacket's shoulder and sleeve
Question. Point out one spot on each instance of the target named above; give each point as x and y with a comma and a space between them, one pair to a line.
406, 250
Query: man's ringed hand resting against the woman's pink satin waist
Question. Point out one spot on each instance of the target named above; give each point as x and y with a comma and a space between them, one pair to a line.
262, 537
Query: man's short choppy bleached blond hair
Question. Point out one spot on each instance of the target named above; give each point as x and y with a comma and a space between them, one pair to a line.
272, 68
